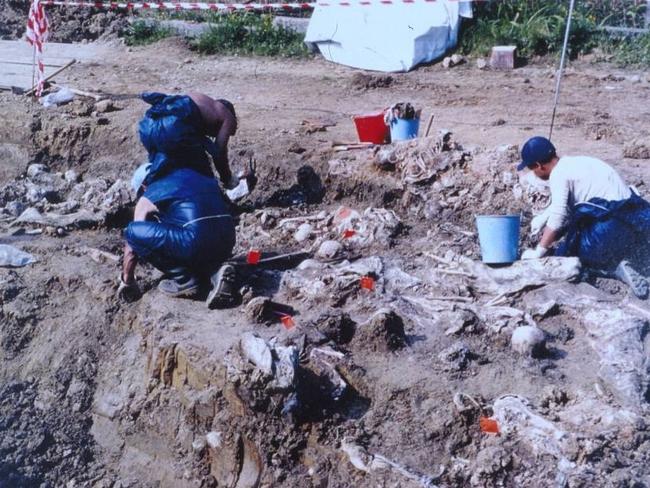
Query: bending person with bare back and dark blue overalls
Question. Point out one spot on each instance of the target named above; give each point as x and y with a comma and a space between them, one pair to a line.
185, 131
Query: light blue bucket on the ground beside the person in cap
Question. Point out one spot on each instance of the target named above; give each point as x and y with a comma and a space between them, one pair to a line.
498, 236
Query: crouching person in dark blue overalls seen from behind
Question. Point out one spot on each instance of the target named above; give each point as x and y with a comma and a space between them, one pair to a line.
183, 228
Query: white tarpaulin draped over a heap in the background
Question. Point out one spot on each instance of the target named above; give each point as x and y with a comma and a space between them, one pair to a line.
386, 35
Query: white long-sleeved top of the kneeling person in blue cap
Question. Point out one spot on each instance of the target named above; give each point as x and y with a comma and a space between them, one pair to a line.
578, 179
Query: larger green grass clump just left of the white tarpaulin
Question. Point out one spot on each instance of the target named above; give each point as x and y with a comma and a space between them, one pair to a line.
250, 33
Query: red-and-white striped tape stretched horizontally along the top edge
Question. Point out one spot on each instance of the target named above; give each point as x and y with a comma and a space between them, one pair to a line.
230, 7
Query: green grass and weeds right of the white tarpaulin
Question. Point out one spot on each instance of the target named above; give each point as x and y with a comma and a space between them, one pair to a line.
537, 28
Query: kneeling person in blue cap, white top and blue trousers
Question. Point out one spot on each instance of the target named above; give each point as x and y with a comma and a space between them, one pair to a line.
602, 220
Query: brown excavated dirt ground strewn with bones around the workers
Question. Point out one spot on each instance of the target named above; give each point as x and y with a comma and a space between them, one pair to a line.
371, 388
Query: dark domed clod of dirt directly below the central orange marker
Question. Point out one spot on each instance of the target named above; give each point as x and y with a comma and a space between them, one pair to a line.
384, 332
